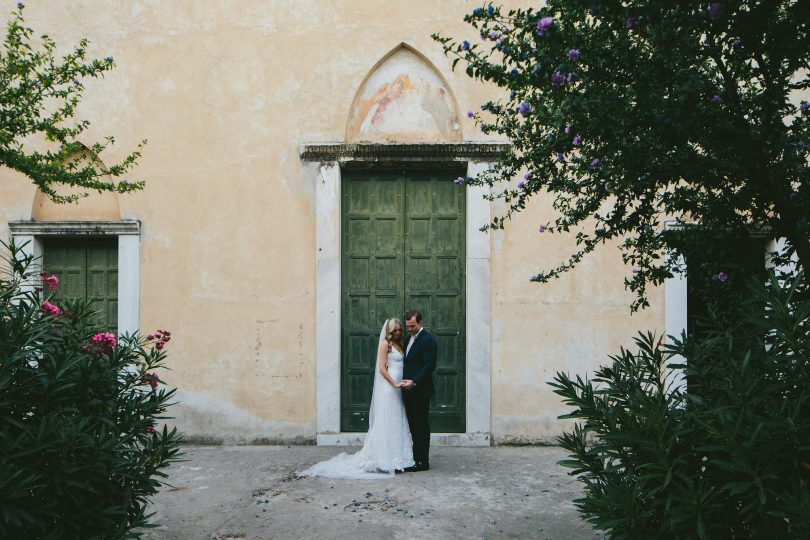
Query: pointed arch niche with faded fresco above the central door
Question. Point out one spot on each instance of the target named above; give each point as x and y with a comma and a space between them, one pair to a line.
403, 99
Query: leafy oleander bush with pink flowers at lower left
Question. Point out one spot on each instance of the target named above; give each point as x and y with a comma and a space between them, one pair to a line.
80, 450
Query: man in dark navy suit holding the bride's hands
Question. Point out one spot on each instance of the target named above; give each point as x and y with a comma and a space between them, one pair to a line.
417, 383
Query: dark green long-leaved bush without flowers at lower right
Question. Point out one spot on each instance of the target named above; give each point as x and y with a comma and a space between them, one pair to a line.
729, 458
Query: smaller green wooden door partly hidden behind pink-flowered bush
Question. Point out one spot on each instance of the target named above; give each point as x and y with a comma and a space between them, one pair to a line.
88, 270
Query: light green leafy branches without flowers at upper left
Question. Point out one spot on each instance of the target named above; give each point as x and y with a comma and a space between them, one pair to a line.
39, 94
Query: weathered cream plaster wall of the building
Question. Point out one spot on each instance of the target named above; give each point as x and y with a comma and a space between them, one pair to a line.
227, 92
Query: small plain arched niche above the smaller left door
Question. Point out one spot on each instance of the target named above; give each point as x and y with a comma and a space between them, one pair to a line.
95, 206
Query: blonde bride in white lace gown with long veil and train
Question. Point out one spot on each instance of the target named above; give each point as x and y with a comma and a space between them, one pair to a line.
388, 446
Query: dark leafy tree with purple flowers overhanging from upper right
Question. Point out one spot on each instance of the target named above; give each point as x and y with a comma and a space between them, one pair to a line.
689, 108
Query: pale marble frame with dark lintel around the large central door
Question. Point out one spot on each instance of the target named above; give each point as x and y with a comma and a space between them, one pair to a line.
322, 166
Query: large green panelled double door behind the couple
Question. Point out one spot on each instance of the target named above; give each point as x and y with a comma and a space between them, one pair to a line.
402, 248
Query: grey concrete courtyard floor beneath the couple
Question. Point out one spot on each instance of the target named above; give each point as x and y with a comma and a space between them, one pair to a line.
252, 492
